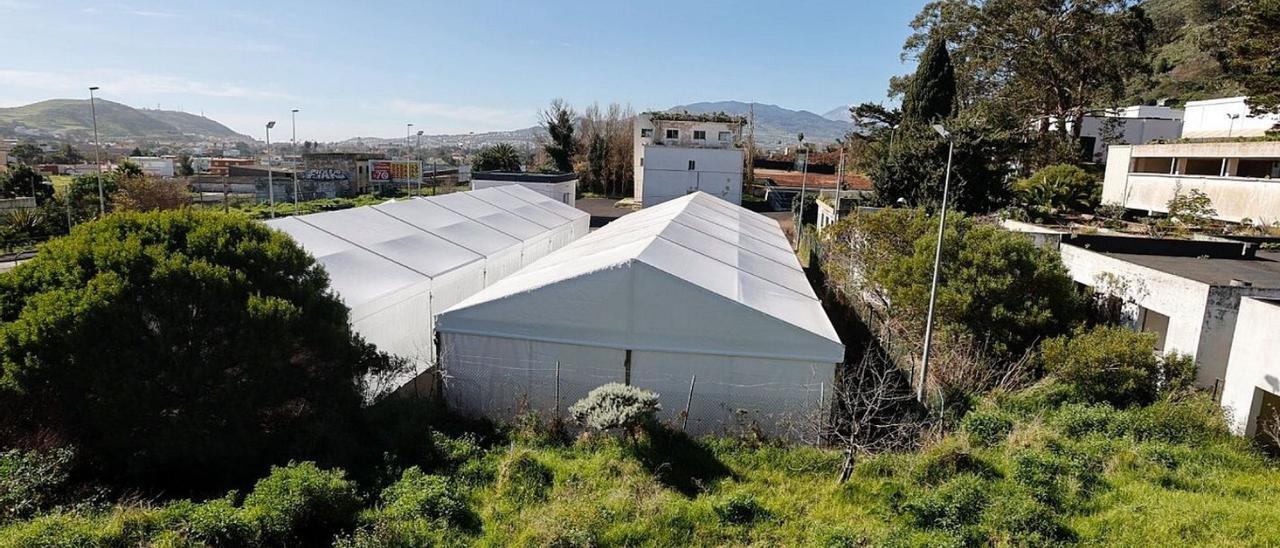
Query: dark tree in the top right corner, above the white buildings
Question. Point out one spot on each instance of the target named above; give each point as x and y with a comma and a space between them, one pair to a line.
1254, 52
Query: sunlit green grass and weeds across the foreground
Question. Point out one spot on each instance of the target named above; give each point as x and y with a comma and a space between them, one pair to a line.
1163, 476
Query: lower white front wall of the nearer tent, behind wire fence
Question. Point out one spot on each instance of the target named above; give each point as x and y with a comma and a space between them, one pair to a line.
721, 396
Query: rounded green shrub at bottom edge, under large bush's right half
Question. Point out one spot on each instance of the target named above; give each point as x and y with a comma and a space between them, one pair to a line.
301, 503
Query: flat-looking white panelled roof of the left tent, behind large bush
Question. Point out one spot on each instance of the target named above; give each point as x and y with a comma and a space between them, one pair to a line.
378, 254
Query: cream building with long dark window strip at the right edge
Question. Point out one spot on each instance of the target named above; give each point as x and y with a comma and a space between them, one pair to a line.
1241, 179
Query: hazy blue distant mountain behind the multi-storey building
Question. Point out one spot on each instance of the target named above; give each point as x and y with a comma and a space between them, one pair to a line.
776, 126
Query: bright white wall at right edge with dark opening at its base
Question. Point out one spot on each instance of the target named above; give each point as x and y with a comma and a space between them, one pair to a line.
1254, 364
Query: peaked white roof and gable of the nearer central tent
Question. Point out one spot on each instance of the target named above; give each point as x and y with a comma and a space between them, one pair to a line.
715, 264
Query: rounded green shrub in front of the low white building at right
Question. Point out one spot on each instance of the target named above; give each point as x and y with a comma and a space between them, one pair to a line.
1107, 364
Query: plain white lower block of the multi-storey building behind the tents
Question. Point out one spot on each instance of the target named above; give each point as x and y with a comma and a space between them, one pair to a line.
717, 172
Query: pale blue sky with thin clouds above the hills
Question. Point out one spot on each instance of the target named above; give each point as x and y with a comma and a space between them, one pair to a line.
360, 68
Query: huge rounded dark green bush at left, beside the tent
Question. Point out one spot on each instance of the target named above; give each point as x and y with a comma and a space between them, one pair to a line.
180, 350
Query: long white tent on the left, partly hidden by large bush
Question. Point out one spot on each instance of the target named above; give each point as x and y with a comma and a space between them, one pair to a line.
399, 264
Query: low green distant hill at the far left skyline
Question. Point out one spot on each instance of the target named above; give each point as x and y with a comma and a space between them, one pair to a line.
72, 118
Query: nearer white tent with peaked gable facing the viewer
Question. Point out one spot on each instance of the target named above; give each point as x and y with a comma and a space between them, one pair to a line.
692, 287
